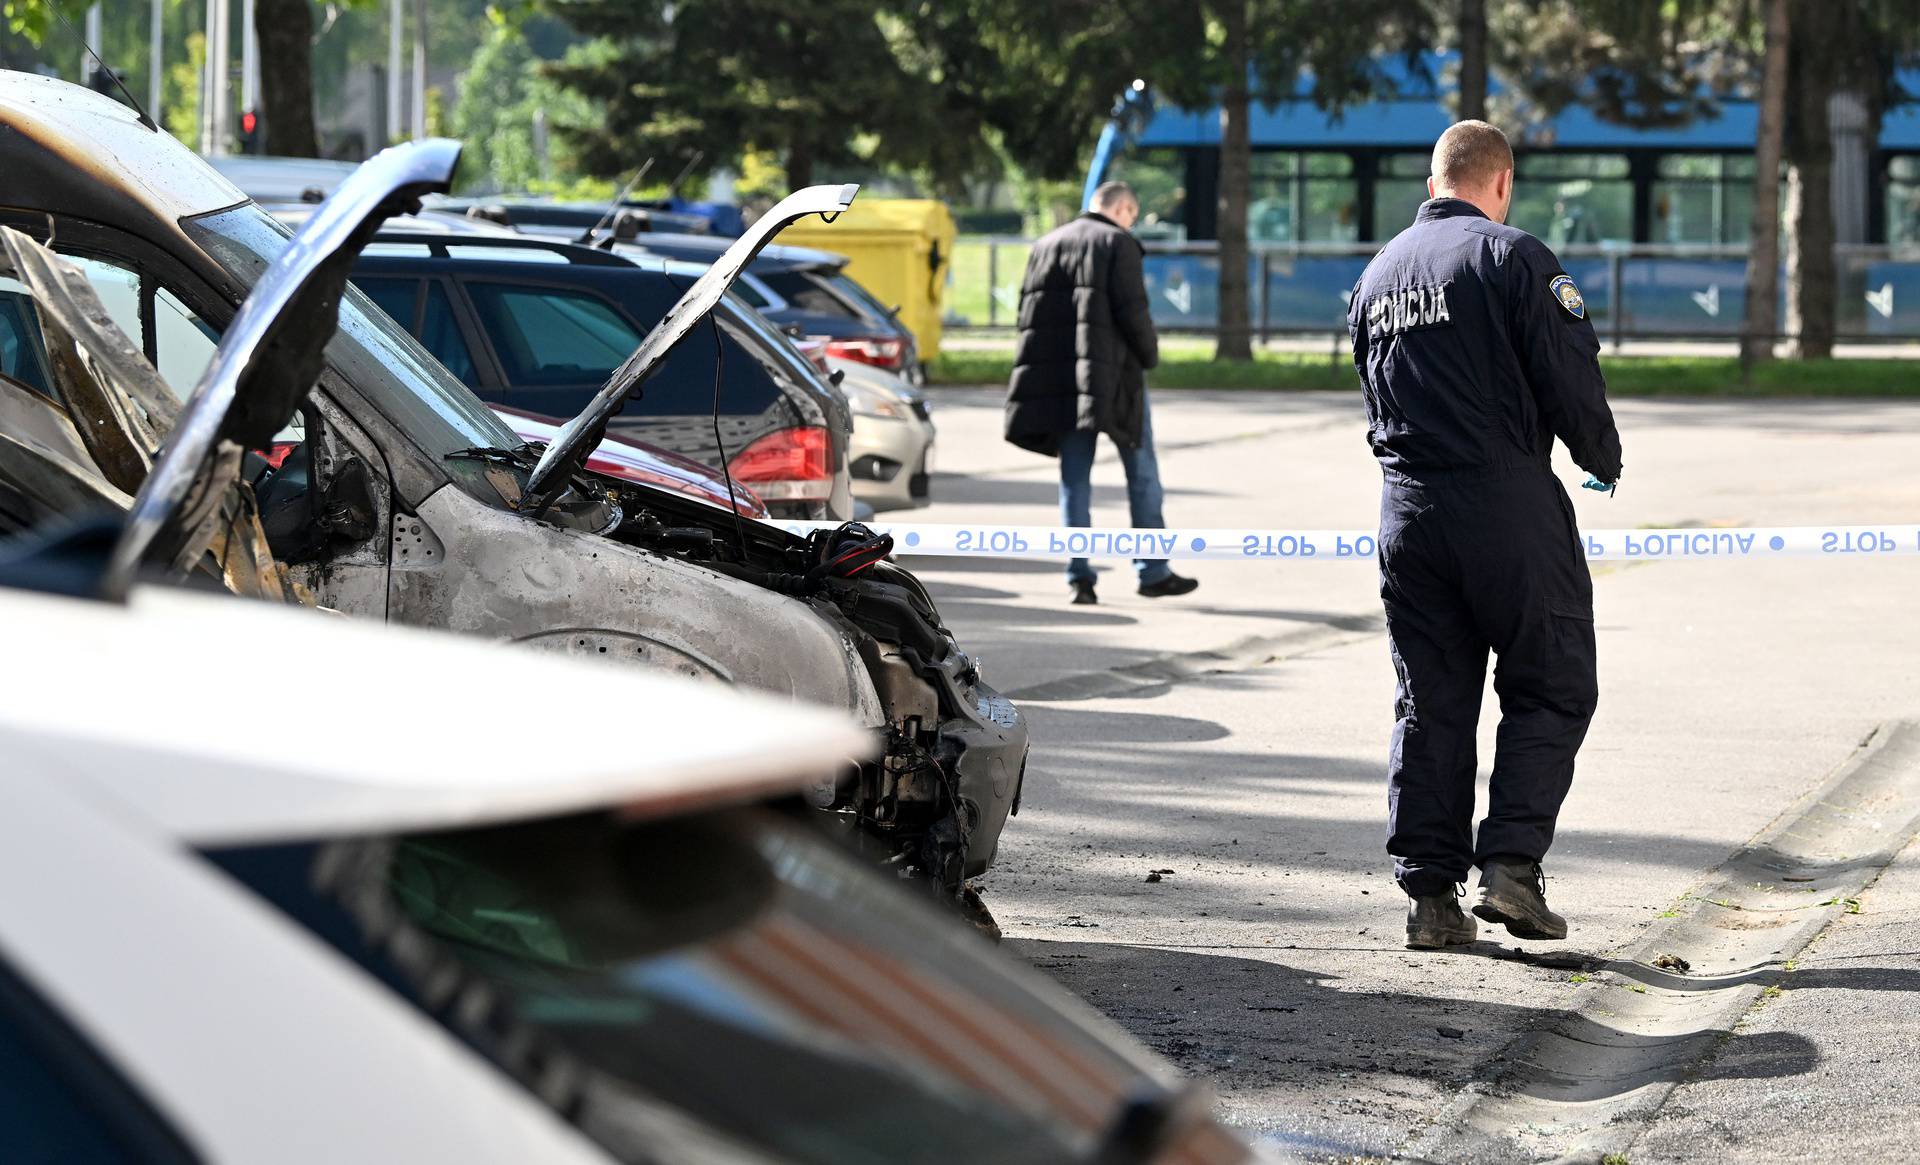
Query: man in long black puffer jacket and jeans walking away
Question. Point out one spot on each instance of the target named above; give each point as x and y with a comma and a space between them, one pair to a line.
1080, 371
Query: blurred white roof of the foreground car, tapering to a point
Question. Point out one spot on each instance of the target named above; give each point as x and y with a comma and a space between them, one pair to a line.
170, 705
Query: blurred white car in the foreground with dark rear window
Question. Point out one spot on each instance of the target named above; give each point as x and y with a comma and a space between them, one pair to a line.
276, 899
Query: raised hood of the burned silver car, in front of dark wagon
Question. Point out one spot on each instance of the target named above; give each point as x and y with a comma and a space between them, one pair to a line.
581, 435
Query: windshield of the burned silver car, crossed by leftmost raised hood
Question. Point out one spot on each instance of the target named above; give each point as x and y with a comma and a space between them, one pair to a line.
370, 350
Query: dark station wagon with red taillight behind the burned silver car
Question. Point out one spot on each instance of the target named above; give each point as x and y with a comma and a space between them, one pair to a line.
539, 325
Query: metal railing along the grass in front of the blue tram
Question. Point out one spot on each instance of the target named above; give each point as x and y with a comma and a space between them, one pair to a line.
1631, 291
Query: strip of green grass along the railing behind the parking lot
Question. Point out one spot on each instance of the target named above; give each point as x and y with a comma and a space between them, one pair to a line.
1191, 366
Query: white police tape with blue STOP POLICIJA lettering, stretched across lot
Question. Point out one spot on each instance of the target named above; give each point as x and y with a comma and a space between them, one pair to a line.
1349, 546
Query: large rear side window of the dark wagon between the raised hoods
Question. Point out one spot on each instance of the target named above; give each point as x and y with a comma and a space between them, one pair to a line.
554, 337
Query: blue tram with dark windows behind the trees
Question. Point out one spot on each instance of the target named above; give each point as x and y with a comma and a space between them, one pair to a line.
1650, 222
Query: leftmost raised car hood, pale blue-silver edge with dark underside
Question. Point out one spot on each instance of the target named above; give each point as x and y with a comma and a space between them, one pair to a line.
266, 364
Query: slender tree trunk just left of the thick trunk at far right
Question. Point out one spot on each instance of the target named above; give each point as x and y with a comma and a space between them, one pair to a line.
1810, 147
